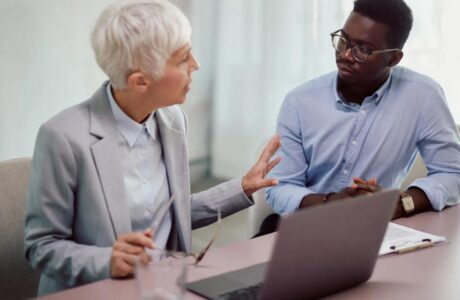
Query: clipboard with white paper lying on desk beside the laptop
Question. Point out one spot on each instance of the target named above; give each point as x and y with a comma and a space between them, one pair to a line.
401, 239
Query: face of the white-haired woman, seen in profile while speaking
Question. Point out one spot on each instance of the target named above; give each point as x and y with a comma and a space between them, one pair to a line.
173, 87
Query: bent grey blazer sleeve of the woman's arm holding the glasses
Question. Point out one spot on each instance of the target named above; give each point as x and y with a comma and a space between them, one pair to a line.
49, 221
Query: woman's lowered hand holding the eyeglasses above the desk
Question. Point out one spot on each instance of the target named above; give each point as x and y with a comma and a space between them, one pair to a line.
128, 249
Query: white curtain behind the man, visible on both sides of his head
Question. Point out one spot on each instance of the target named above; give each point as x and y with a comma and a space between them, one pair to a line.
266, 48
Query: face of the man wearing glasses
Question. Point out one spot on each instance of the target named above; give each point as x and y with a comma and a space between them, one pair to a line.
371, 34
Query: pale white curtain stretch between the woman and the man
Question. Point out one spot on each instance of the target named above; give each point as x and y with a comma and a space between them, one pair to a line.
264, 49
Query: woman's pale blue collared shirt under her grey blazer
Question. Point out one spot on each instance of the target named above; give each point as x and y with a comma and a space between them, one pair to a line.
144, 171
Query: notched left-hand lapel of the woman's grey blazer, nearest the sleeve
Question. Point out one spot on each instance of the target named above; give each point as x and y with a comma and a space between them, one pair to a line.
107, 160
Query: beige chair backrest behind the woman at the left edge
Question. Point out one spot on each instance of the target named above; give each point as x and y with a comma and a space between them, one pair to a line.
17, 278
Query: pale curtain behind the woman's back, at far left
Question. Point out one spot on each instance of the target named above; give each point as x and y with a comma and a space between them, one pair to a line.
46, 65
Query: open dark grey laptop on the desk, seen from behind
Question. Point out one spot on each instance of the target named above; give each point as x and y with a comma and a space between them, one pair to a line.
317, 252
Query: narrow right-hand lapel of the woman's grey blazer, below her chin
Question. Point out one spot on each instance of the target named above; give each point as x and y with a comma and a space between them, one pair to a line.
174, 151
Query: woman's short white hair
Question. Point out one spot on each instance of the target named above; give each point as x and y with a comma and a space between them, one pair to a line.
138, 35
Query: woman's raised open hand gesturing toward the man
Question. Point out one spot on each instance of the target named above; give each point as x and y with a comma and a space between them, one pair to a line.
255, 177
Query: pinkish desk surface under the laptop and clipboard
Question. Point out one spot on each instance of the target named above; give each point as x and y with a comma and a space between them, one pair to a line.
432, 273
